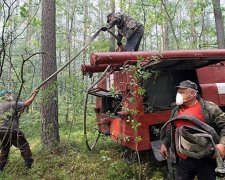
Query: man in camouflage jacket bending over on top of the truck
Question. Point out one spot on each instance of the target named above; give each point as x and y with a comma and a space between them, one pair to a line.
127, 27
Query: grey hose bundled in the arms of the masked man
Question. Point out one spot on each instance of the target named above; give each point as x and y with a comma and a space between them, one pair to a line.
204, 134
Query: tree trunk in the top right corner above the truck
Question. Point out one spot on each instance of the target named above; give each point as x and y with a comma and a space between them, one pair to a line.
219, 24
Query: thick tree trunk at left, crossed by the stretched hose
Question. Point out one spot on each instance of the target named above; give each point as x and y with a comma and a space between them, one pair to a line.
49, 107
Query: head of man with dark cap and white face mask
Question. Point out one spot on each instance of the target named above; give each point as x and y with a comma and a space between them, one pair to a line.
186, 92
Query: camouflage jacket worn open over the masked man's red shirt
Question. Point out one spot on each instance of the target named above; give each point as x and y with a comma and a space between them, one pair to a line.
213, 116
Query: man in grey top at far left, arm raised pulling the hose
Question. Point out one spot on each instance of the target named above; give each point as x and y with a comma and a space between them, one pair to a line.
10, 134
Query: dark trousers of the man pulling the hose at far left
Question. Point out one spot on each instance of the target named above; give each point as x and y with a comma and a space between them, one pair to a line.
16, 138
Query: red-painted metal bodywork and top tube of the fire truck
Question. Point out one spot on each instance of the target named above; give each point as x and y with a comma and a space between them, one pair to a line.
120, 127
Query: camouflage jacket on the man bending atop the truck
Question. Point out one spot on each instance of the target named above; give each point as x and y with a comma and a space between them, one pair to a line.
126, 24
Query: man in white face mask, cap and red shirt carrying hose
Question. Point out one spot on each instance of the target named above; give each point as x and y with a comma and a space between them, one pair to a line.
189, 104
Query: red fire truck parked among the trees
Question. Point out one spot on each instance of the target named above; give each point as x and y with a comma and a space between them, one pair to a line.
134, 119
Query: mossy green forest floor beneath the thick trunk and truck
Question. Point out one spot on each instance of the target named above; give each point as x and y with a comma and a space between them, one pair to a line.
72, 159
